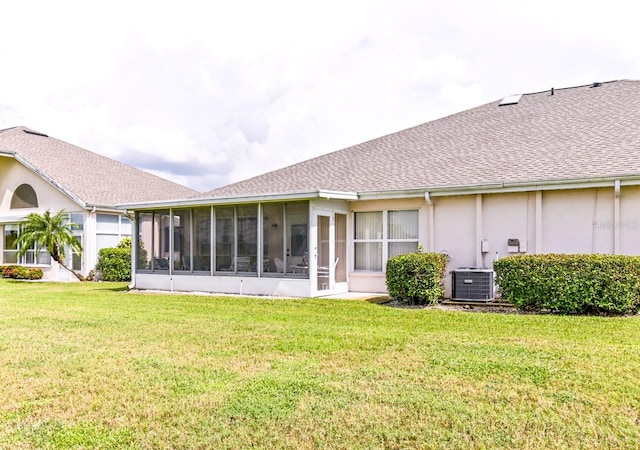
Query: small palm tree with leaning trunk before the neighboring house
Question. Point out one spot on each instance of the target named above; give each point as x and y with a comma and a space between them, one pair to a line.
52, 232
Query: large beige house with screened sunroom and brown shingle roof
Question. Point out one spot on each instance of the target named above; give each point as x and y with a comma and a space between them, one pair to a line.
553, 171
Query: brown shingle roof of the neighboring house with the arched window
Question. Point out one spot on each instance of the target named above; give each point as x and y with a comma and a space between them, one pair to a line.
92, 178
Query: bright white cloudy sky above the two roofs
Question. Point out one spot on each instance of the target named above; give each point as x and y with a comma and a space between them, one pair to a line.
206, 93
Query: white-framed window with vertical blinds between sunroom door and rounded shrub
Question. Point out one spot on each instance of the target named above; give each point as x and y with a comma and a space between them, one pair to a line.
380, 235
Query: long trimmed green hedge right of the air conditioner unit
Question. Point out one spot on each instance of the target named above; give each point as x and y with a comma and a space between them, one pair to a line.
571, 284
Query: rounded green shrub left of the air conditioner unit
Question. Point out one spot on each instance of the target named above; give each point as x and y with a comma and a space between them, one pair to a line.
416, 278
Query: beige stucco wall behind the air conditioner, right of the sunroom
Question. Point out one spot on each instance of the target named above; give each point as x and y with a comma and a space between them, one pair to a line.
546, 221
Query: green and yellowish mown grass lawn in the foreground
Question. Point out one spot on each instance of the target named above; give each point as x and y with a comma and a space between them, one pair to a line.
88, 365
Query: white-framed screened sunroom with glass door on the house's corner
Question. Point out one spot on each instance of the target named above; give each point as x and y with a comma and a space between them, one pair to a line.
295, 248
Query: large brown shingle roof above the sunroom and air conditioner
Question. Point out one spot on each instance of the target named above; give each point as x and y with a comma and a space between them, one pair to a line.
577, 133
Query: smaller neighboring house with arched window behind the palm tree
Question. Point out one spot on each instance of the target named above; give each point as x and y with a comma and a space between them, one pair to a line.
39, 173
